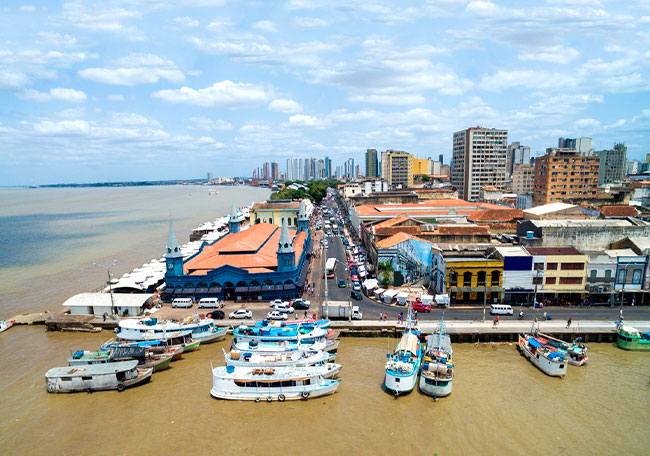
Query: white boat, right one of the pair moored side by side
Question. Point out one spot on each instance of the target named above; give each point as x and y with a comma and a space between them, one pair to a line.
438, 365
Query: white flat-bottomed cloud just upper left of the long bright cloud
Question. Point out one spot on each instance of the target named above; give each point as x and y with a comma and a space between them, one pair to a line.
135, 69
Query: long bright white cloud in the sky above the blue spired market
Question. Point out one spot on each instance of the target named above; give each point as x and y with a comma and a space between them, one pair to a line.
224, 94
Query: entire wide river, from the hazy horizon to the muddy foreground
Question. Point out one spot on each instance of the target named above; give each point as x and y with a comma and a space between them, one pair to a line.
501, 404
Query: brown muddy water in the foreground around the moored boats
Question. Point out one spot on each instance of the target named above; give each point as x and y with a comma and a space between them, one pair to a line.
500, 404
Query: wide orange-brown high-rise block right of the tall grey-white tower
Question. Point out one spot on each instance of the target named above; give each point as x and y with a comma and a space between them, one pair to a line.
562, 174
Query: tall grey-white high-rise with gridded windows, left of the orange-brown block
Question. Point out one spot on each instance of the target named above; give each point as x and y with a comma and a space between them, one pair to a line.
479, 159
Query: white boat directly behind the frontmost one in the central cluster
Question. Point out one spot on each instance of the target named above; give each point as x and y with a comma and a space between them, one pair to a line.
283, 359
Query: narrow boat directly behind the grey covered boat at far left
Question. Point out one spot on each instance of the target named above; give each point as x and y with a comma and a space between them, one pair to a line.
146, 358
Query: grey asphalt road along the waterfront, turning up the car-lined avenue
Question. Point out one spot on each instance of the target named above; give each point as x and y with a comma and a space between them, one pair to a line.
371, 309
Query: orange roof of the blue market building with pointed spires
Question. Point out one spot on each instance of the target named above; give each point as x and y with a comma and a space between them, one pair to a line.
254, 249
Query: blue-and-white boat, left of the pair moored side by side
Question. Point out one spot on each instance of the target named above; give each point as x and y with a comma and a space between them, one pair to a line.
404, 363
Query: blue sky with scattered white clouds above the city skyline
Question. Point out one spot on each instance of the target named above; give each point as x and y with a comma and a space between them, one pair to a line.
116, 90
